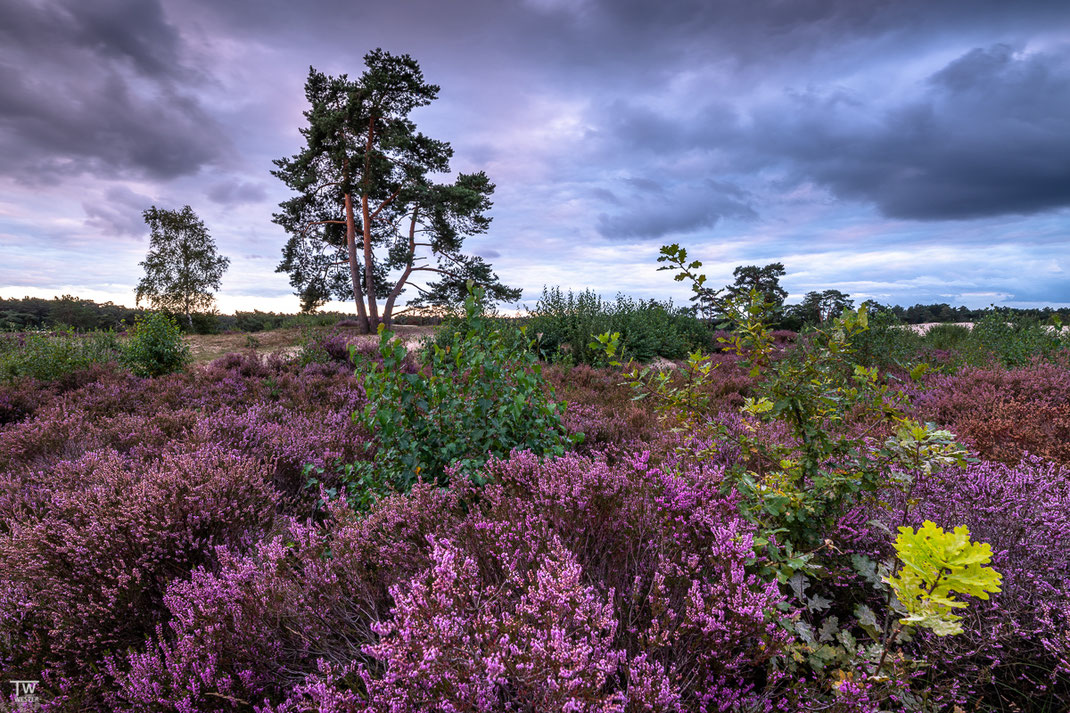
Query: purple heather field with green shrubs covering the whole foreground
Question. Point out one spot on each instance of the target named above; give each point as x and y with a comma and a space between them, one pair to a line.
249, 536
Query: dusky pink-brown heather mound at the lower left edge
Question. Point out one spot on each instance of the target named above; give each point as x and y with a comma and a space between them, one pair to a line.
85, 565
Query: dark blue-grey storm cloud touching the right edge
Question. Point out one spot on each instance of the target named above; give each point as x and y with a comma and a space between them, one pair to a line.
988, 136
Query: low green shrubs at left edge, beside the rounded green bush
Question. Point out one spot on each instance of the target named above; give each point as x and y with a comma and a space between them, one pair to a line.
52, 357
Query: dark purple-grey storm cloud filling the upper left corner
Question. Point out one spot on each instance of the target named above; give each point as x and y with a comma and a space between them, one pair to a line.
99, 88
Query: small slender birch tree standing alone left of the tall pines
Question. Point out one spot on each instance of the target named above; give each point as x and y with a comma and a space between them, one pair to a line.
182, 267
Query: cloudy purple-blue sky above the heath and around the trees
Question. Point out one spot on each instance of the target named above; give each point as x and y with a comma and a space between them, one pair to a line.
906, 151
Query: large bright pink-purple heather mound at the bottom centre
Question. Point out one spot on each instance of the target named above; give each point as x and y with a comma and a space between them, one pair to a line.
569, 585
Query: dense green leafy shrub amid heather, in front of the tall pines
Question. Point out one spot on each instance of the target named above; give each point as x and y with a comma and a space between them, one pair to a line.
480, 397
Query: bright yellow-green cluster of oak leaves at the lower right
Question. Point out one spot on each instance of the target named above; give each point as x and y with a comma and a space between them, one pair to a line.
937, 566
